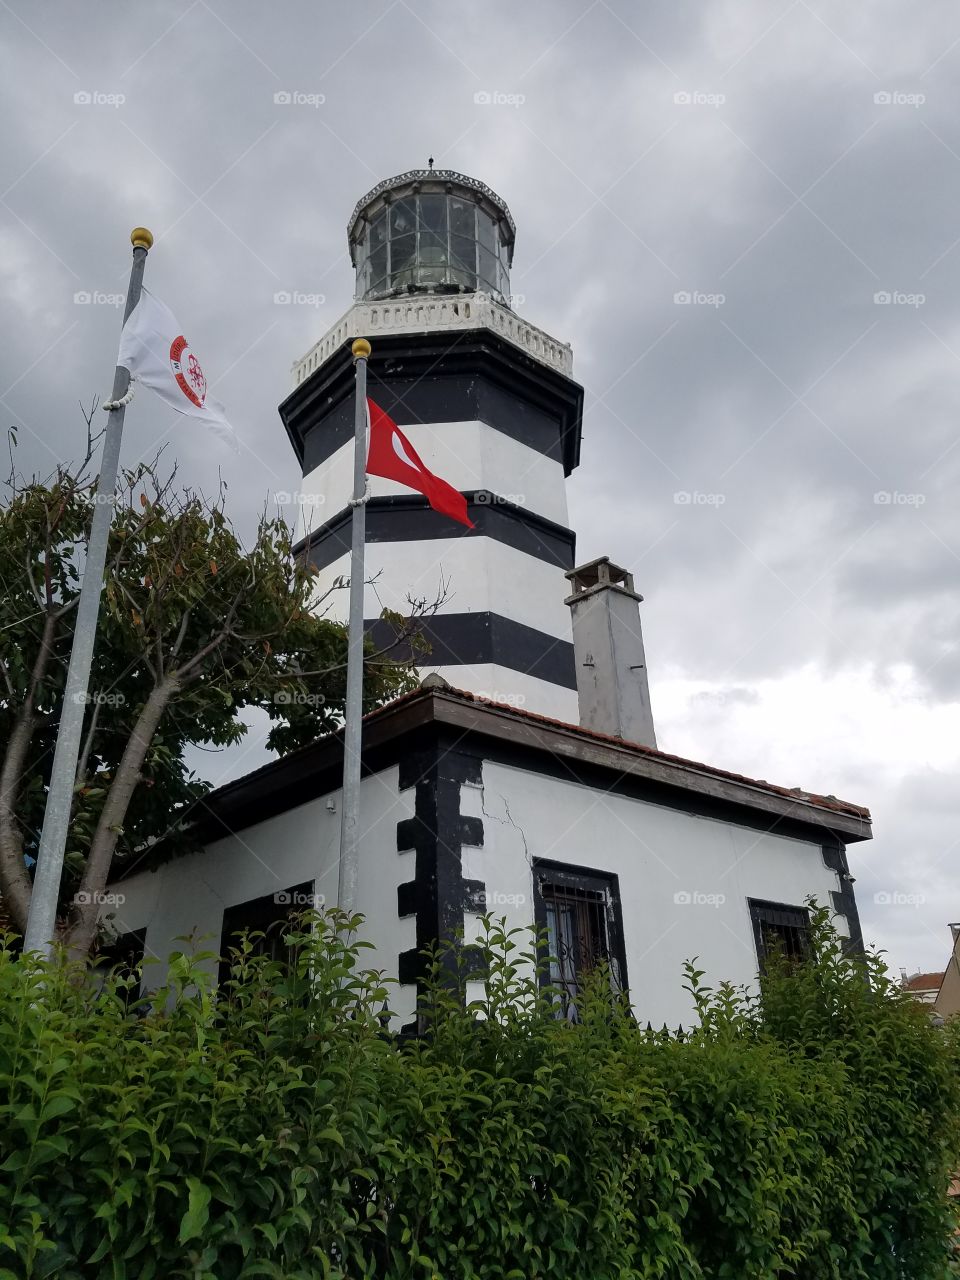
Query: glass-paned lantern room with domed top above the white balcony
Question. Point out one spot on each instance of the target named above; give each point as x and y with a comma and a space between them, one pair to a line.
432, 231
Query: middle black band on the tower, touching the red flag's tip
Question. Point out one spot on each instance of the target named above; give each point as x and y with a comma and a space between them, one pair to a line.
409, 519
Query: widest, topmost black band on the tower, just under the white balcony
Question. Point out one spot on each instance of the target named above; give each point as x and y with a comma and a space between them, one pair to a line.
440, 378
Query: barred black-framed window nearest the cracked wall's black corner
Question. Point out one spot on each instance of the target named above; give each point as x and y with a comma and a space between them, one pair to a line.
580, 913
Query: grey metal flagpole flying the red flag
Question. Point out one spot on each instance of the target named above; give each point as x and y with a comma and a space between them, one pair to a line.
354, 714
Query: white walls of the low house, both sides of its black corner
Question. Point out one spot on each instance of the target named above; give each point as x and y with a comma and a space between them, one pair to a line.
684, 881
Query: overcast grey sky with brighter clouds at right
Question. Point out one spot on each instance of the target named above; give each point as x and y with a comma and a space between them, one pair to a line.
787, 167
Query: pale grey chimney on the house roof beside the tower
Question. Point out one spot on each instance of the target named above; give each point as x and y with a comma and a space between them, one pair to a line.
609, 648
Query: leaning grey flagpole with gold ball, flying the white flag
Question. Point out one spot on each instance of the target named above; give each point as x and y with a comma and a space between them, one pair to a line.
42, 922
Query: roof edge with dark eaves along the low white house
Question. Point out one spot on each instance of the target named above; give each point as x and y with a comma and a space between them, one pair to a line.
316, 771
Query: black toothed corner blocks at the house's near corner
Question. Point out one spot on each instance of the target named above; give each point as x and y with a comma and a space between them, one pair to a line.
438, 895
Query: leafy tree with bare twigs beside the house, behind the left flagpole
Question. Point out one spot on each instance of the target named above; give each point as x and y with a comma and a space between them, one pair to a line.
194, 629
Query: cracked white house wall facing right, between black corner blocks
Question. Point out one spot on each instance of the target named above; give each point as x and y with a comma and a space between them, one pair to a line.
684, 881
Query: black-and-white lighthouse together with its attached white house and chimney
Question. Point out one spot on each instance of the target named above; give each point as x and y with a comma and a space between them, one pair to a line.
524, 779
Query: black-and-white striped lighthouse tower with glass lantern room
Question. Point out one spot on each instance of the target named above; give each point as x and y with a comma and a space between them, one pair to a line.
490, 405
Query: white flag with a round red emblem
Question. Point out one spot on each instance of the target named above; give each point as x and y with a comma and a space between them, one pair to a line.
158, 355
